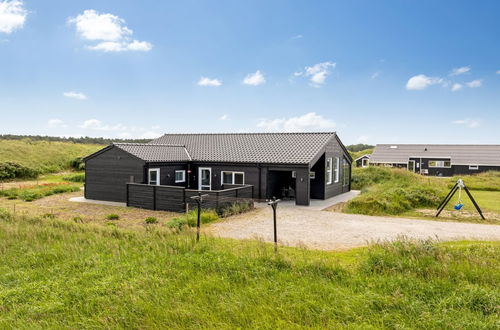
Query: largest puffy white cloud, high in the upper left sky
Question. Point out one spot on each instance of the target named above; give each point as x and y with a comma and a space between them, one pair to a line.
109, 30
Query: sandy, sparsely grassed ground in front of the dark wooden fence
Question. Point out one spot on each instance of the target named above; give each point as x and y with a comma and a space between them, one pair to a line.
60, 207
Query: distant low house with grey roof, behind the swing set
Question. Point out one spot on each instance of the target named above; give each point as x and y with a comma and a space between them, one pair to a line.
438, 159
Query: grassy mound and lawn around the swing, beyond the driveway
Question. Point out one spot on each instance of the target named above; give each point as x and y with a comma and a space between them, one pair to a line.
390, 191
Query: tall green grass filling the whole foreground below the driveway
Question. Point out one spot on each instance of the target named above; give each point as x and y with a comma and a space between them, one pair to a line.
57, 274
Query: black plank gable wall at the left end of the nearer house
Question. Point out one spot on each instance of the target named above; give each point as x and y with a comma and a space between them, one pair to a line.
107, 173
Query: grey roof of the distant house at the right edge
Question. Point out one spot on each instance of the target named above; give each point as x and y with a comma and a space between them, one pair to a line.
460, 154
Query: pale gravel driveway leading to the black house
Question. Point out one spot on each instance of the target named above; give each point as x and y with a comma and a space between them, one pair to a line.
330, 231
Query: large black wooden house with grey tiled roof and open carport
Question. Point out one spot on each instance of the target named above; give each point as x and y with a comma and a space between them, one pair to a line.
297, 165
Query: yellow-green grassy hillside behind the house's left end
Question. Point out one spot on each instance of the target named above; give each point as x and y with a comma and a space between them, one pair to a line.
43, 156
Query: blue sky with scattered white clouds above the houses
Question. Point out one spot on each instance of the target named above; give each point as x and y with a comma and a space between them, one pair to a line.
373, 71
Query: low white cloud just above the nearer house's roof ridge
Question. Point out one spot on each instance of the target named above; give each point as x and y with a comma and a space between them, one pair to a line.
309, 121
